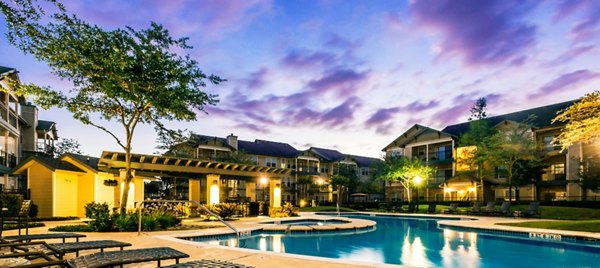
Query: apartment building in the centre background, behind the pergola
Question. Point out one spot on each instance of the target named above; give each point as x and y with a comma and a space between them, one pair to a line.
315, 164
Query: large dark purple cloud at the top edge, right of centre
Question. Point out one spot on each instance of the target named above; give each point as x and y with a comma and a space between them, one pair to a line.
480, 32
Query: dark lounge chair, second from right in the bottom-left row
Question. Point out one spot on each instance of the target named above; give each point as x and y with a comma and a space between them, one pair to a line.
119, 258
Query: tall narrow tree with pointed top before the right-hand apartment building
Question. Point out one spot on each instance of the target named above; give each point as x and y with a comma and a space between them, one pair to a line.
479, 135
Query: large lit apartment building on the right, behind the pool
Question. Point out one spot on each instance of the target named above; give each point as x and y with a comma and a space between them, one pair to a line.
559, 180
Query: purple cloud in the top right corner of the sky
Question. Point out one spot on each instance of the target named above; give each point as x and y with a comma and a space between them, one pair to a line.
588, 13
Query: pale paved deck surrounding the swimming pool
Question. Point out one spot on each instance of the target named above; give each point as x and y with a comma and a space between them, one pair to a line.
258, 258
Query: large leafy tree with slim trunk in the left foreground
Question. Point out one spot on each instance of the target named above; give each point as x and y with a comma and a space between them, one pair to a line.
125, 75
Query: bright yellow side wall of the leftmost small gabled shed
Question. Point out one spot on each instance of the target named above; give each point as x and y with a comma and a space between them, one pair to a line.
66, 192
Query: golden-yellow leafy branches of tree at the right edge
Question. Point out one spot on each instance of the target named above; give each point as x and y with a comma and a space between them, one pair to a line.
582, 121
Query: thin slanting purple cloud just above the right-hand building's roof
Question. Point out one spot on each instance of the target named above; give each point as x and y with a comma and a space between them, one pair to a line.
564, 82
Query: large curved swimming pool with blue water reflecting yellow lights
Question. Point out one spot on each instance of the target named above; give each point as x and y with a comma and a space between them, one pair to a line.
419, 242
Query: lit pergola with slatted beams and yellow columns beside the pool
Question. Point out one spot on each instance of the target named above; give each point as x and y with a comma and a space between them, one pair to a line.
143, 165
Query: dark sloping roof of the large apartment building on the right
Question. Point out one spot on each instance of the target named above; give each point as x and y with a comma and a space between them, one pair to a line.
543, 119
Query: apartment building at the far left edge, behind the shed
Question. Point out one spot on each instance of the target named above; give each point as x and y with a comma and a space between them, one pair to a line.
21, 133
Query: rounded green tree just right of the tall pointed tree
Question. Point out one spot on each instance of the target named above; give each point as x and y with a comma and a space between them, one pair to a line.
512, 147
